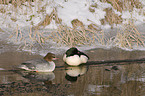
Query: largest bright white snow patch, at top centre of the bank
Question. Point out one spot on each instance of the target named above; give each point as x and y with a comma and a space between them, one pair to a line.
71, 10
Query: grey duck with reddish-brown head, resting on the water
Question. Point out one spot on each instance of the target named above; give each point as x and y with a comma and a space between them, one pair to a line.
40, 65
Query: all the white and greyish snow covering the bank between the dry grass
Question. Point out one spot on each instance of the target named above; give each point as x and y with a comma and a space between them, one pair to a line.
23, 17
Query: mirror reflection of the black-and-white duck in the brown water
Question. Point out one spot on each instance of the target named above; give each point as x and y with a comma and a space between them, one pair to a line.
72, 73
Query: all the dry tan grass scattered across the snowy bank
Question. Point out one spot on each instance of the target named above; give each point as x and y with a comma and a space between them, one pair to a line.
81, 34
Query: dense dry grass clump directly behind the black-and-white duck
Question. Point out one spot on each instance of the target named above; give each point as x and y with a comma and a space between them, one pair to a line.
72, 36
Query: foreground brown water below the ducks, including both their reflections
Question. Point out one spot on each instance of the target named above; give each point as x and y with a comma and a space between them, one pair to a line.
96, 80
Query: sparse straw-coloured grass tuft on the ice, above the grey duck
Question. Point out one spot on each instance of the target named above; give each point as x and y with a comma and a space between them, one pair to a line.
29, 39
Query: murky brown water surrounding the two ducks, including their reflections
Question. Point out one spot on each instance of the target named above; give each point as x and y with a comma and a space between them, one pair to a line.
125, 79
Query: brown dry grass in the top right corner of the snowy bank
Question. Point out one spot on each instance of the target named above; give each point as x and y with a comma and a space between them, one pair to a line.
119, 5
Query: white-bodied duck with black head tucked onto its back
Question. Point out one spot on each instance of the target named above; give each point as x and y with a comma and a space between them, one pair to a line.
74, 57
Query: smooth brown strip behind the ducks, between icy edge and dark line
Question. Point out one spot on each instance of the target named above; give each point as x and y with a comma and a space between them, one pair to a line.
9, 59
